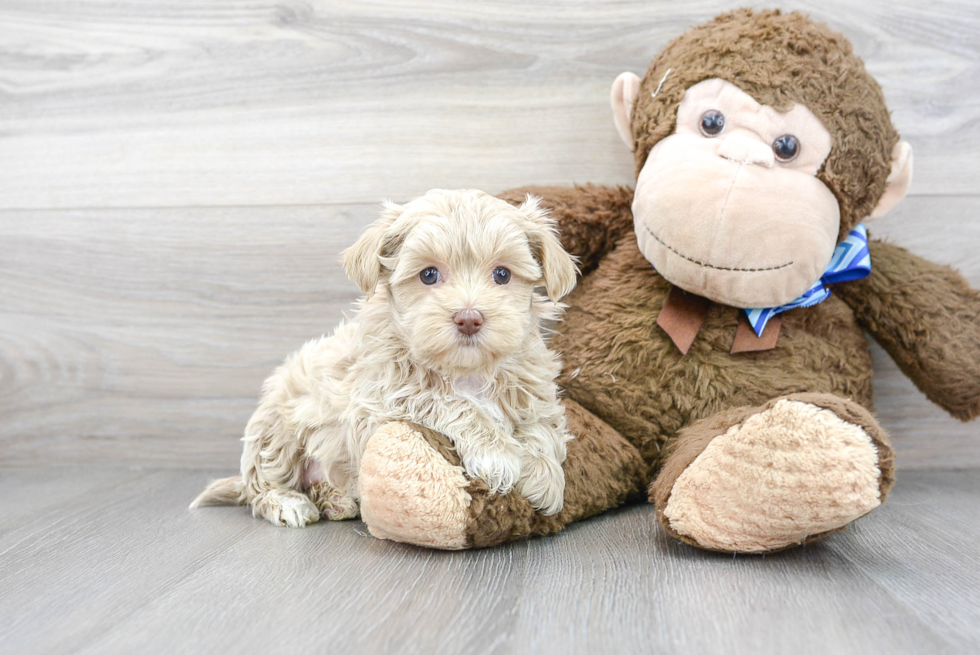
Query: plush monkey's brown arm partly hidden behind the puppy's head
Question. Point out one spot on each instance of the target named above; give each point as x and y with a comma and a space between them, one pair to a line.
591, 218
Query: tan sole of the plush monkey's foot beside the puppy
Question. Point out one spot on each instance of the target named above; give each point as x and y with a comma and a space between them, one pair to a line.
411, 492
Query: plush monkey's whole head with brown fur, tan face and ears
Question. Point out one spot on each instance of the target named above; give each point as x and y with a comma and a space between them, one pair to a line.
760, 142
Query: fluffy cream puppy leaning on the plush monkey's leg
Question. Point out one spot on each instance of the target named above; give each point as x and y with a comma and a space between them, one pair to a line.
448, 336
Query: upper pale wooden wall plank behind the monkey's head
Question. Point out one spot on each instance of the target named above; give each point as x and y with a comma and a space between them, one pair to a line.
175, 103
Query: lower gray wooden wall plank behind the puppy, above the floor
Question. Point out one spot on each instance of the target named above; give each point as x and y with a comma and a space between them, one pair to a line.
143, 336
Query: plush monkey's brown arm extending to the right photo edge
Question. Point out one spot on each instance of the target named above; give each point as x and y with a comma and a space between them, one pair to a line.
928, 319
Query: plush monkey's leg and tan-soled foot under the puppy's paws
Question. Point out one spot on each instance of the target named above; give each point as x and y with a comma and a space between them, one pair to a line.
413, 488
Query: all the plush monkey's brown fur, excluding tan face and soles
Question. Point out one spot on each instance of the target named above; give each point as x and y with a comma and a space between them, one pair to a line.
659, 409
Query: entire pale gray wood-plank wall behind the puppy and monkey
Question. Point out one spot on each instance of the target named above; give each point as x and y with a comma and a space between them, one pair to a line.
178, 178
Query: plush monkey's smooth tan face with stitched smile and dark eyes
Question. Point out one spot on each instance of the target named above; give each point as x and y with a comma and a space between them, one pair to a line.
729, 206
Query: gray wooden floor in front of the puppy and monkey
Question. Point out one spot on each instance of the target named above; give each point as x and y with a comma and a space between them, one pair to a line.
111, 561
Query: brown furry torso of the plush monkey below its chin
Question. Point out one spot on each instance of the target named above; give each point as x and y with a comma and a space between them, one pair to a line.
620, 365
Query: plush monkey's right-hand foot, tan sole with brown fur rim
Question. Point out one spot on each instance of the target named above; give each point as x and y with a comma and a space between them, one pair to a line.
755, 480
